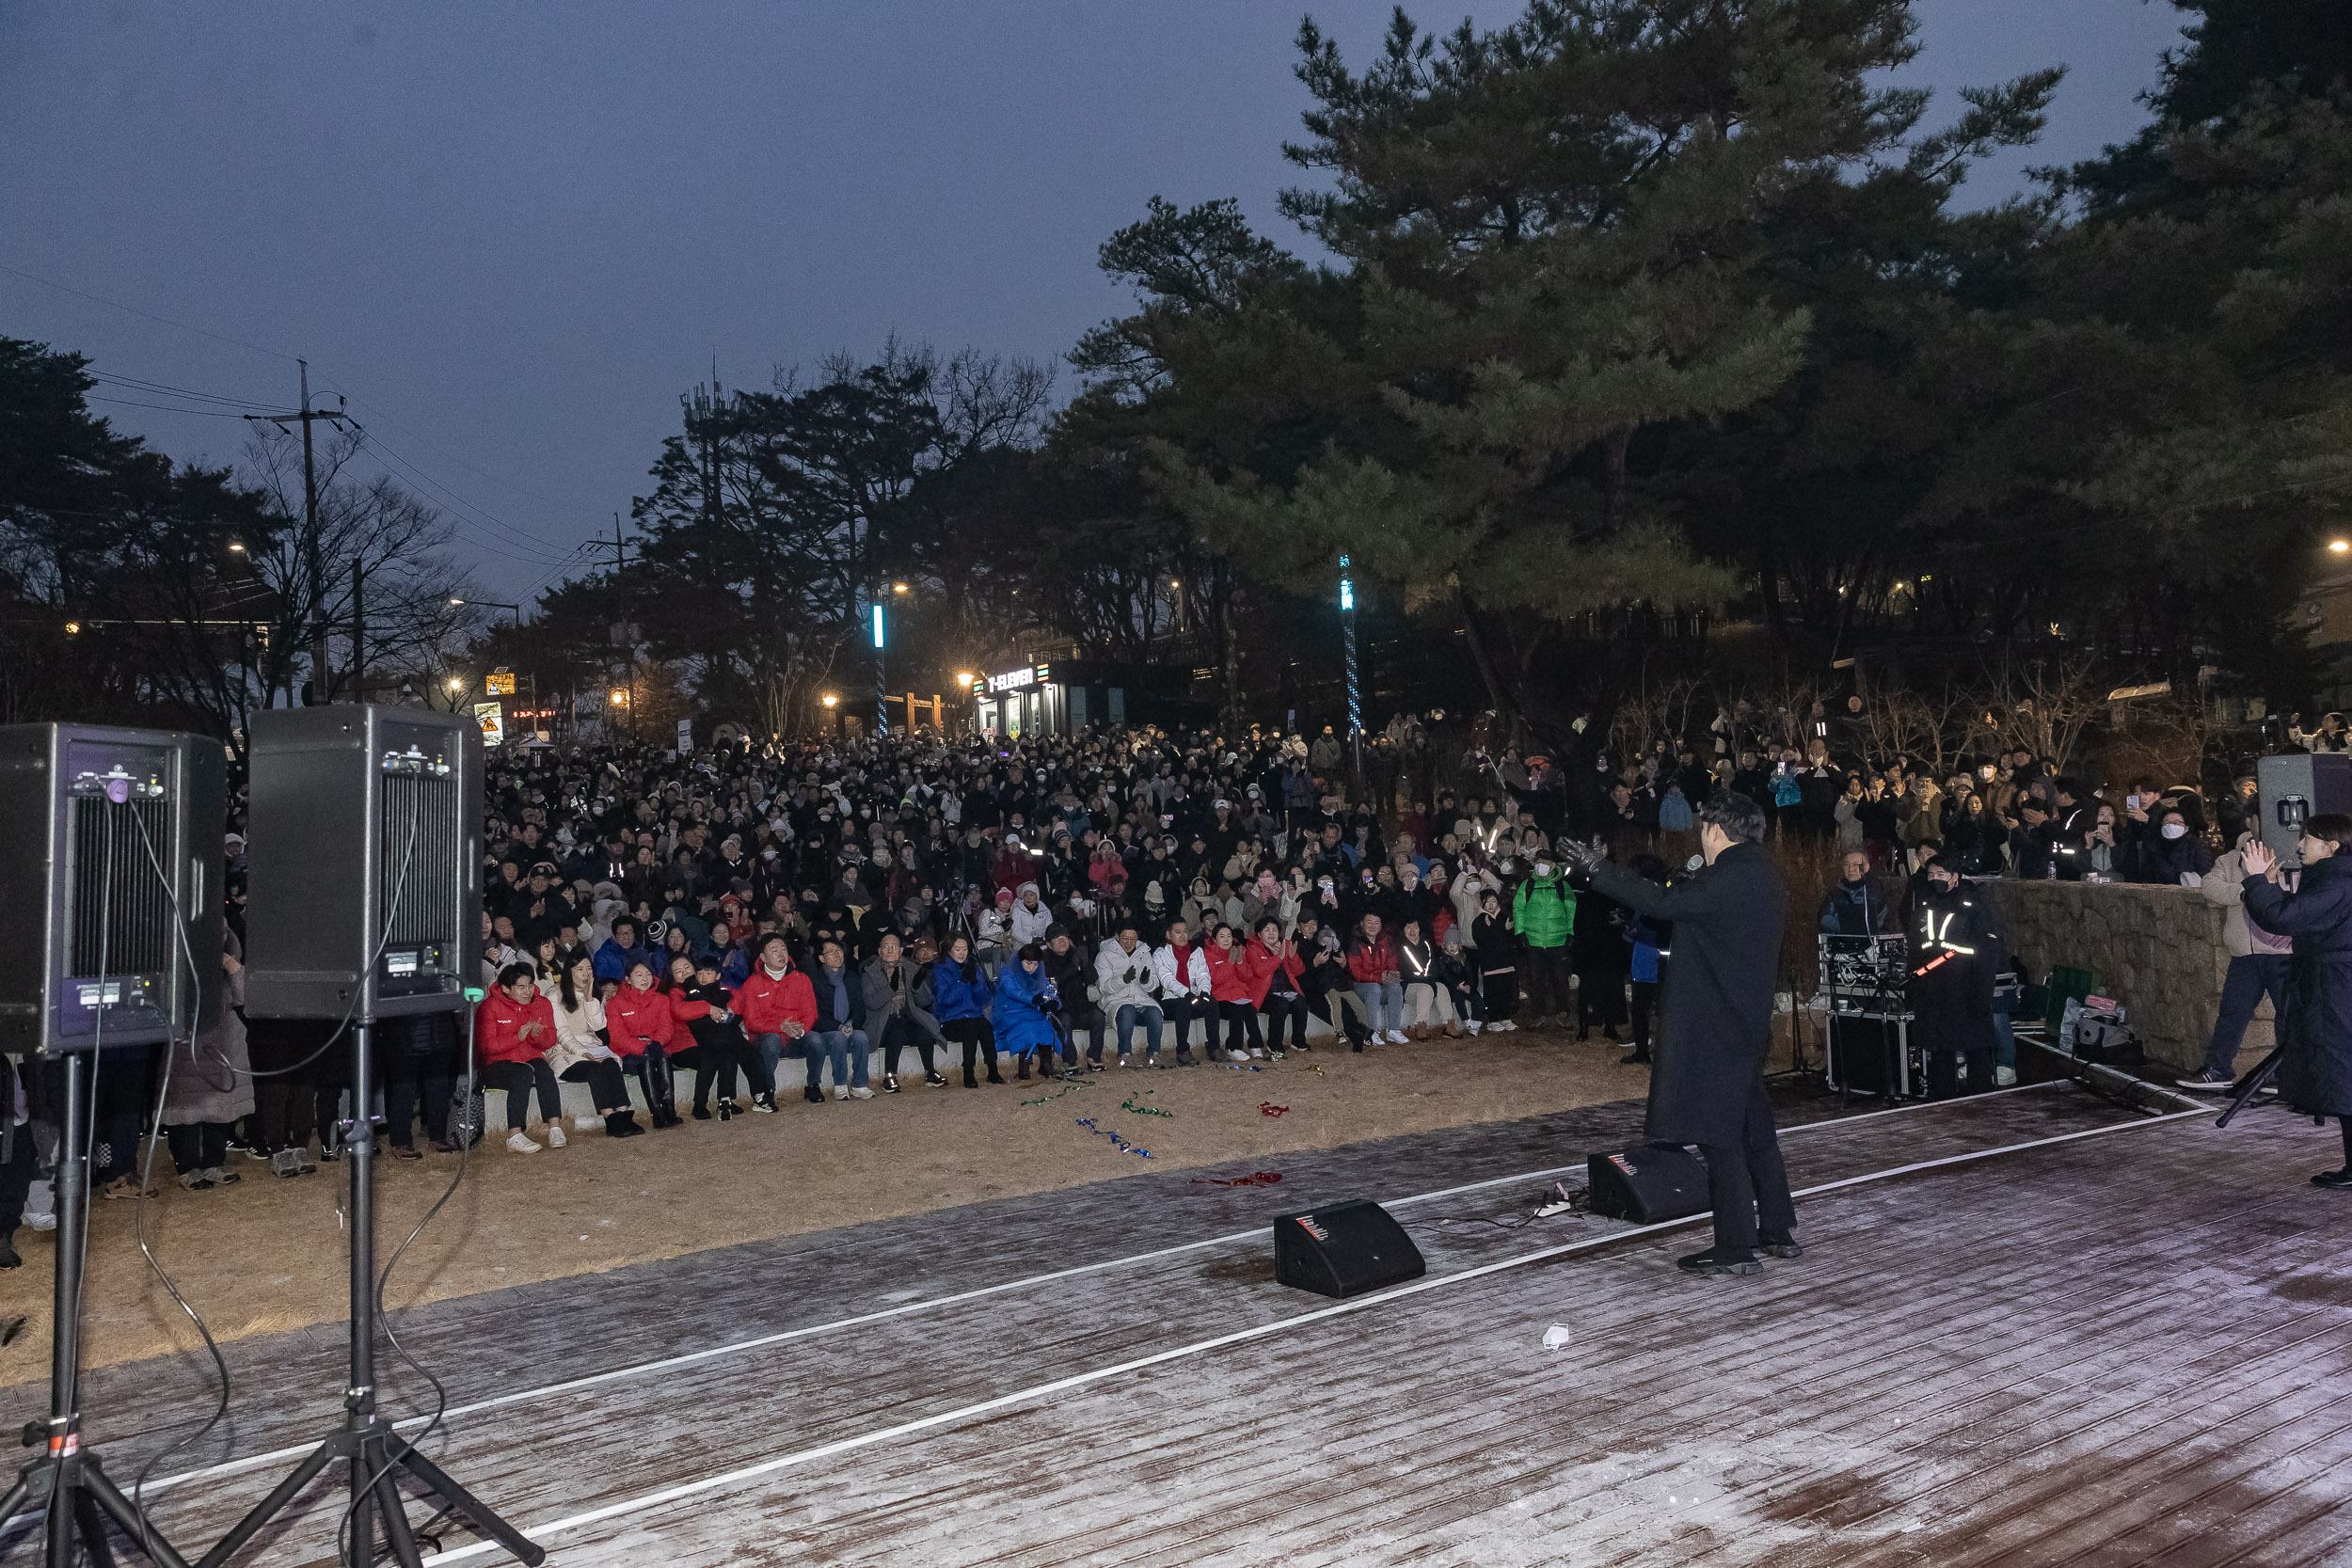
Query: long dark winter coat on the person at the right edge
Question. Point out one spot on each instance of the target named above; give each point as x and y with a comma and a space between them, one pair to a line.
2316, 1071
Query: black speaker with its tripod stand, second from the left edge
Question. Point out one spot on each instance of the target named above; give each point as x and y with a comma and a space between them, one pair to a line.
366, 902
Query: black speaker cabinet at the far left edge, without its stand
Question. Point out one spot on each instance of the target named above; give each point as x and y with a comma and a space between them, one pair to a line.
98, 944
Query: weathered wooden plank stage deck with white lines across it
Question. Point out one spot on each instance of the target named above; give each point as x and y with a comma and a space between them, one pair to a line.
2109, 1341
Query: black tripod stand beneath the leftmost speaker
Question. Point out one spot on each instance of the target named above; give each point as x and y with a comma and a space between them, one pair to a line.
67, 1482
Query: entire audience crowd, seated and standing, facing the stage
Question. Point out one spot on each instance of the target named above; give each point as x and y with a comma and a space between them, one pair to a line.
695, 937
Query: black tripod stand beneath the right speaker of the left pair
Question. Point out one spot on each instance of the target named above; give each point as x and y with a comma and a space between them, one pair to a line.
377, 1459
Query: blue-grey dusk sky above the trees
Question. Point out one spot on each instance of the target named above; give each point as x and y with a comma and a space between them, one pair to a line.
514, 236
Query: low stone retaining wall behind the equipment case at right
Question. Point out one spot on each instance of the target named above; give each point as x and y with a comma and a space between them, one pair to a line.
2153, 949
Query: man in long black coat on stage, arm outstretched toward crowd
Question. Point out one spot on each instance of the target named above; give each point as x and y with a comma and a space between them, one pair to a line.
1716, 1028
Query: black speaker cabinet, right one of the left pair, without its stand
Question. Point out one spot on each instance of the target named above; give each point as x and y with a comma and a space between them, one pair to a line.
363, 864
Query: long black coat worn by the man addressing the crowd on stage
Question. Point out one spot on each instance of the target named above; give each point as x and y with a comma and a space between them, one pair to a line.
1718, 993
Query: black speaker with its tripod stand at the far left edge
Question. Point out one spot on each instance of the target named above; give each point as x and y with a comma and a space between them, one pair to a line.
112, 913
